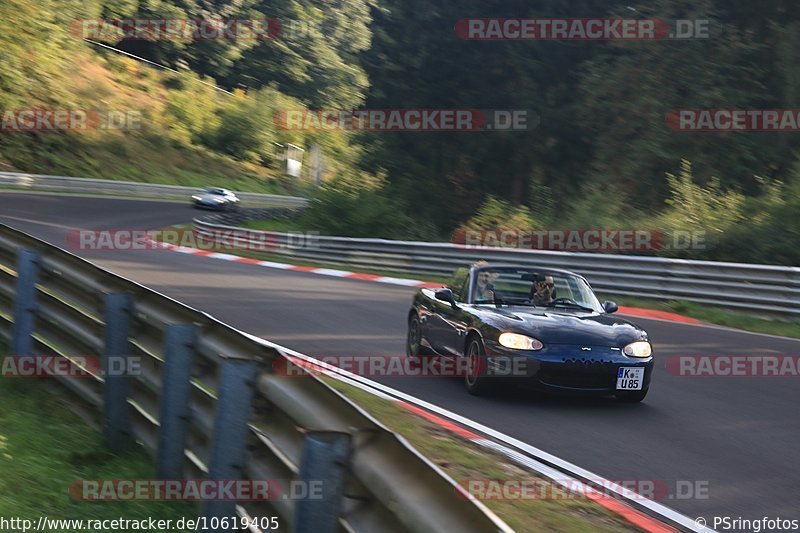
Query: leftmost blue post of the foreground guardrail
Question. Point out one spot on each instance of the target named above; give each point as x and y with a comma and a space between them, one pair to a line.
25, 302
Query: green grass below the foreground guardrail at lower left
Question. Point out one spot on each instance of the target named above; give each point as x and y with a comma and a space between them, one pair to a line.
45, 447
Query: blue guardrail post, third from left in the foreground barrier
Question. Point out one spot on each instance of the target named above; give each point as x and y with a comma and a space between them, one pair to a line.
174, 415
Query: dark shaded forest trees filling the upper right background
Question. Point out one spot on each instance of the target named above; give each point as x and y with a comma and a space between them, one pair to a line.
602, 146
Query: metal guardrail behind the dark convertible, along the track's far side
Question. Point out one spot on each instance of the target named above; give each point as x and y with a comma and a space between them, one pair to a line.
762, 288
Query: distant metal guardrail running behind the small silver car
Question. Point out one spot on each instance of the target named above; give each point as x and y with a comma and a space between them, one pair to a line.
67, 184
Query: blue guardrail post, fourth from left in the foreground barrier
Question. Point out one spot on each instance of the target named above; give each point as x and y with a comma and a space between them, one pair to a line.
234, 402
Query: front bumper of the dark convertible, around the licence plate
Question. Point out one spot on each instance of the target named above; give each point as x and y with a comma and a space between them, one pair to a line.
565, 368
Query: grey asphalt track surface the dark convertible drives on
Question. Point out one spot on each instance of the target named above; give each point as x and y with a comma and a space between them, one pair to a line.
736, 438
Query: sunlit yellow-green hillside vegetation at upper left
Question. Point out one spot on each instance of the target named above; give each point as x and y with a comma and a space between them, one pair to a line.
189, 127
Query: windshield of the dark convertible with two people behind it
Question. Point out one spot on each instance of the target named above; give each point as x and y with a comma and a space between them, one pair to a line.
533, 287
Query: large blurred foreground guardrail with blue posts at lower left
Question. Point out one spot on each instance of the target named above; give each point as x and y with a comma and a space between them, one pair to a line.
209, 403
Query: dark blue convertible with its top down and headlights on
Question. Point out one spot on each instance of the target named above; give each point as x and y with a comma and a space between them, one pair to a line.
536, 327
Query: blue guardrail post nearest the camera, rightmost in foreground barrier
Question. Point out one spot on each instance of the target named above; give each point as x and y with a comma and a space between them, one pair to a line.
323, 466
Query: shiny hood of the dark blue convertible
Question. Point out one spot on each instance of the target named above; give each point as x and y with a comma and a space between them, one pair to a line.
566, 326
